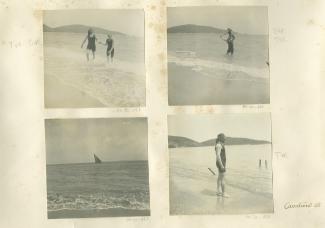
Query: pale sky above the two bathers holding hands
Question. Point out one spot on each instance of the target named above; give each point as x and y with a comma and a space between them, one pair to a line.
128, 21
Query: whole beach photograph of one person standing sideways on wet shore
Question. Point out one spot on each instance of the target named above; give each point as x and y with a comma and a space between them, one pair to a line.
220, 164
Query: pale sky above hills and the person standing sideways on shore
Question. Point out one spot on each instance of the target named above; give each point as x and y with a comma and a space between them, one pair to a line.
205, 127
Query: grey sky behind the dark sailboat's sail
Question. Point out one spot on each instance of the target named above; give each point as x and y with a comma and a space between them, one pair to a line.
111, 139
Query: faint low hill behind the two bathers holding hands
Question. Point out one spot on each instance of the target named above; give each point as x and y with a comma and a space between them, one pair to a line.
79, 29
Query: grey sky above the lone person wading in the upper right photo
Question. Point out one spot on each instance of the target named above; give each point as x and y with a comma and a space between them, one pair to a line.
242, 19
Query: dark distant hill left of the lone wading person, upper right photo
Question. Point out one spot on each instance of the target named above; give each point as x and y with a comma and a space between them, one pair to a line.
190, 28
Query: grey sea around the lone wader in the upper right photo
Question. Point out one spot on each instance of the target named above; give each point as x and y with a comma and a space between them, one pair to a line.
204, 51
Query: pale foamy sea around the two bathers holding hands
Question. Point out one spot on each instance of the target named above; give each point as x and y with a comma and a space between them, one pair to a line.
121, 83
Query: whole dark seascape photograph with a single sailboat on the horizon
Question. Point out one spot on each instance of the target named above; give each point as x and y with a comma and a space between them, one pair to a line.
97, 168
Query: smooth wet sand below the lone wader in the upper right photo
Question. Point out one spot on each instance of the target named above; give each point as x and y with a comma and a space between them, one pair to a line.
189, 87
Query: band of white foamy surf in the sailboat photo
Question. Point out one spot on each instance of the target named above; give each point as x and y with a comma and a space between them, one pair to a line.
134, 201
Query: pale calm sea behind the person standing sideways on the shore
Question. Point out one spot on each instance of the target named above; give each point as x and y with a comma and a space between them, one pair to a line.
242, 170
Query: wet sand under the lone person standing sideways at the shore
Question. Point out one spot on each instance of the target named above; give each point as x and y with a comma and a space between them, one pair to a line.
190, 196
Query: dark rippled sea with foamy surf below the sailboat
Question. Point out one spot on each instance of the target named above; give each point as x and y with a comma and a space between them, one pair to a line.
122, 185
